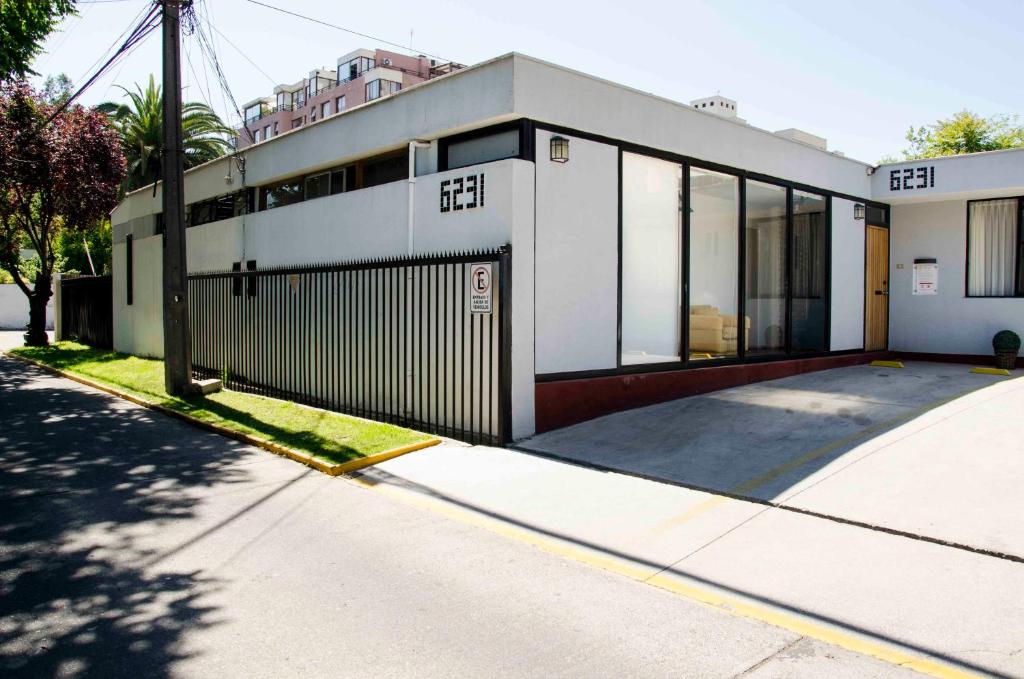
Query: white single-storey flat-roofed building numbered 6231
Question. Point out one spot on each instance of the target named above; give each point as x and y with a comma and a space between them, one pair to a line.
658, 250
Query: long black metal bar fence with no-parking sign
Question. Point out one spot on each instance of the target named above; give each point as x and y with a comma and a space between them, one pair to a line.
389, 341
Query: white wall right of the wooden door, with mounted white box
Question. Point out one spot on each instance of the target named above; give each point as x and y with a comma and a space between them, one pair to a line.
949, 322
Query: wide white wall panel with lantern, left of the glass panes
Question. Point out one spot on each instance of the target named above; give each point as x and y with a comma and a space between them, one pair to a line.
577, 258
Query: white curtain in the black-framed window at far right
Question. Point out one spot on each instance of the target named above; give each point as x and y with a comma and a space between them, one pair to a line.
993, 233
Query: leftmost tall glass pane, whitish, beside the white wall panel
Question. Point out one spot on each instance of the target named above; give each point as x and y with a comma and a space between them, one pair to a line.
652, 260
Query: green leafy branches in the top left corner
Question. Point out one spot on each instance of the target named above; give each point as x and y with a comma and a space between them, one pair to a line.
24, 26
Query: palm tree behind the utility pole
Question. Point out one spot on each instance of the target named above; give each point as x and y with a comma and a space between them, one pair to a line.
141, 125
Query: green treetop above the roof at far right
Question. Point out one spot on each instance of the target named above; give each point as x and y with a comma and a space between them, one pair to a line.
964, 134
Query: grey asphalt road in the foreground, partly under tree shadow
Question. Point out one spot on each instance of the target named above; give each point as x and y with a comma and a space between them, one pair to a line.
133, 545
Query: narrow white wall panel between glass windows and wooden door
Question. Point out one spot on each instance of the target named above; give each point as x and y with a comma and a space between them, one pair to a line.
847, 278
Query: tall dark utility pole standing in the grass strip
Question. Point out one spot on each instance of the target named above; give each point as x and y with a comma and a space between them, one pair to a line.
178, 346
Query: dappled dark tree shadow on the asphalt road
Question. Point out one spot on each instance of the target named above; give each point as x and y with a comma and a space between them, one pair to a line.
84, 482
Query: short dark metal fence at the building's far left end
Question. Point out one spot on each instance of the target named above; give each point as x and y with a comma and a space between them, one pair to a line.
88, 311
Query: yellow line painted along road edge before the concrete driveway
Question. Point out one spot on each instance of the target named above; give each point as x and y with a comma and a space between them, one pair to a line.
684, 586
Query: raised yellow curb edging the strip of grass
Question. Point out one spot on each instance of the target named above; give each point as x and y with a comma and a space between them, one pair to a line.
277, 449
